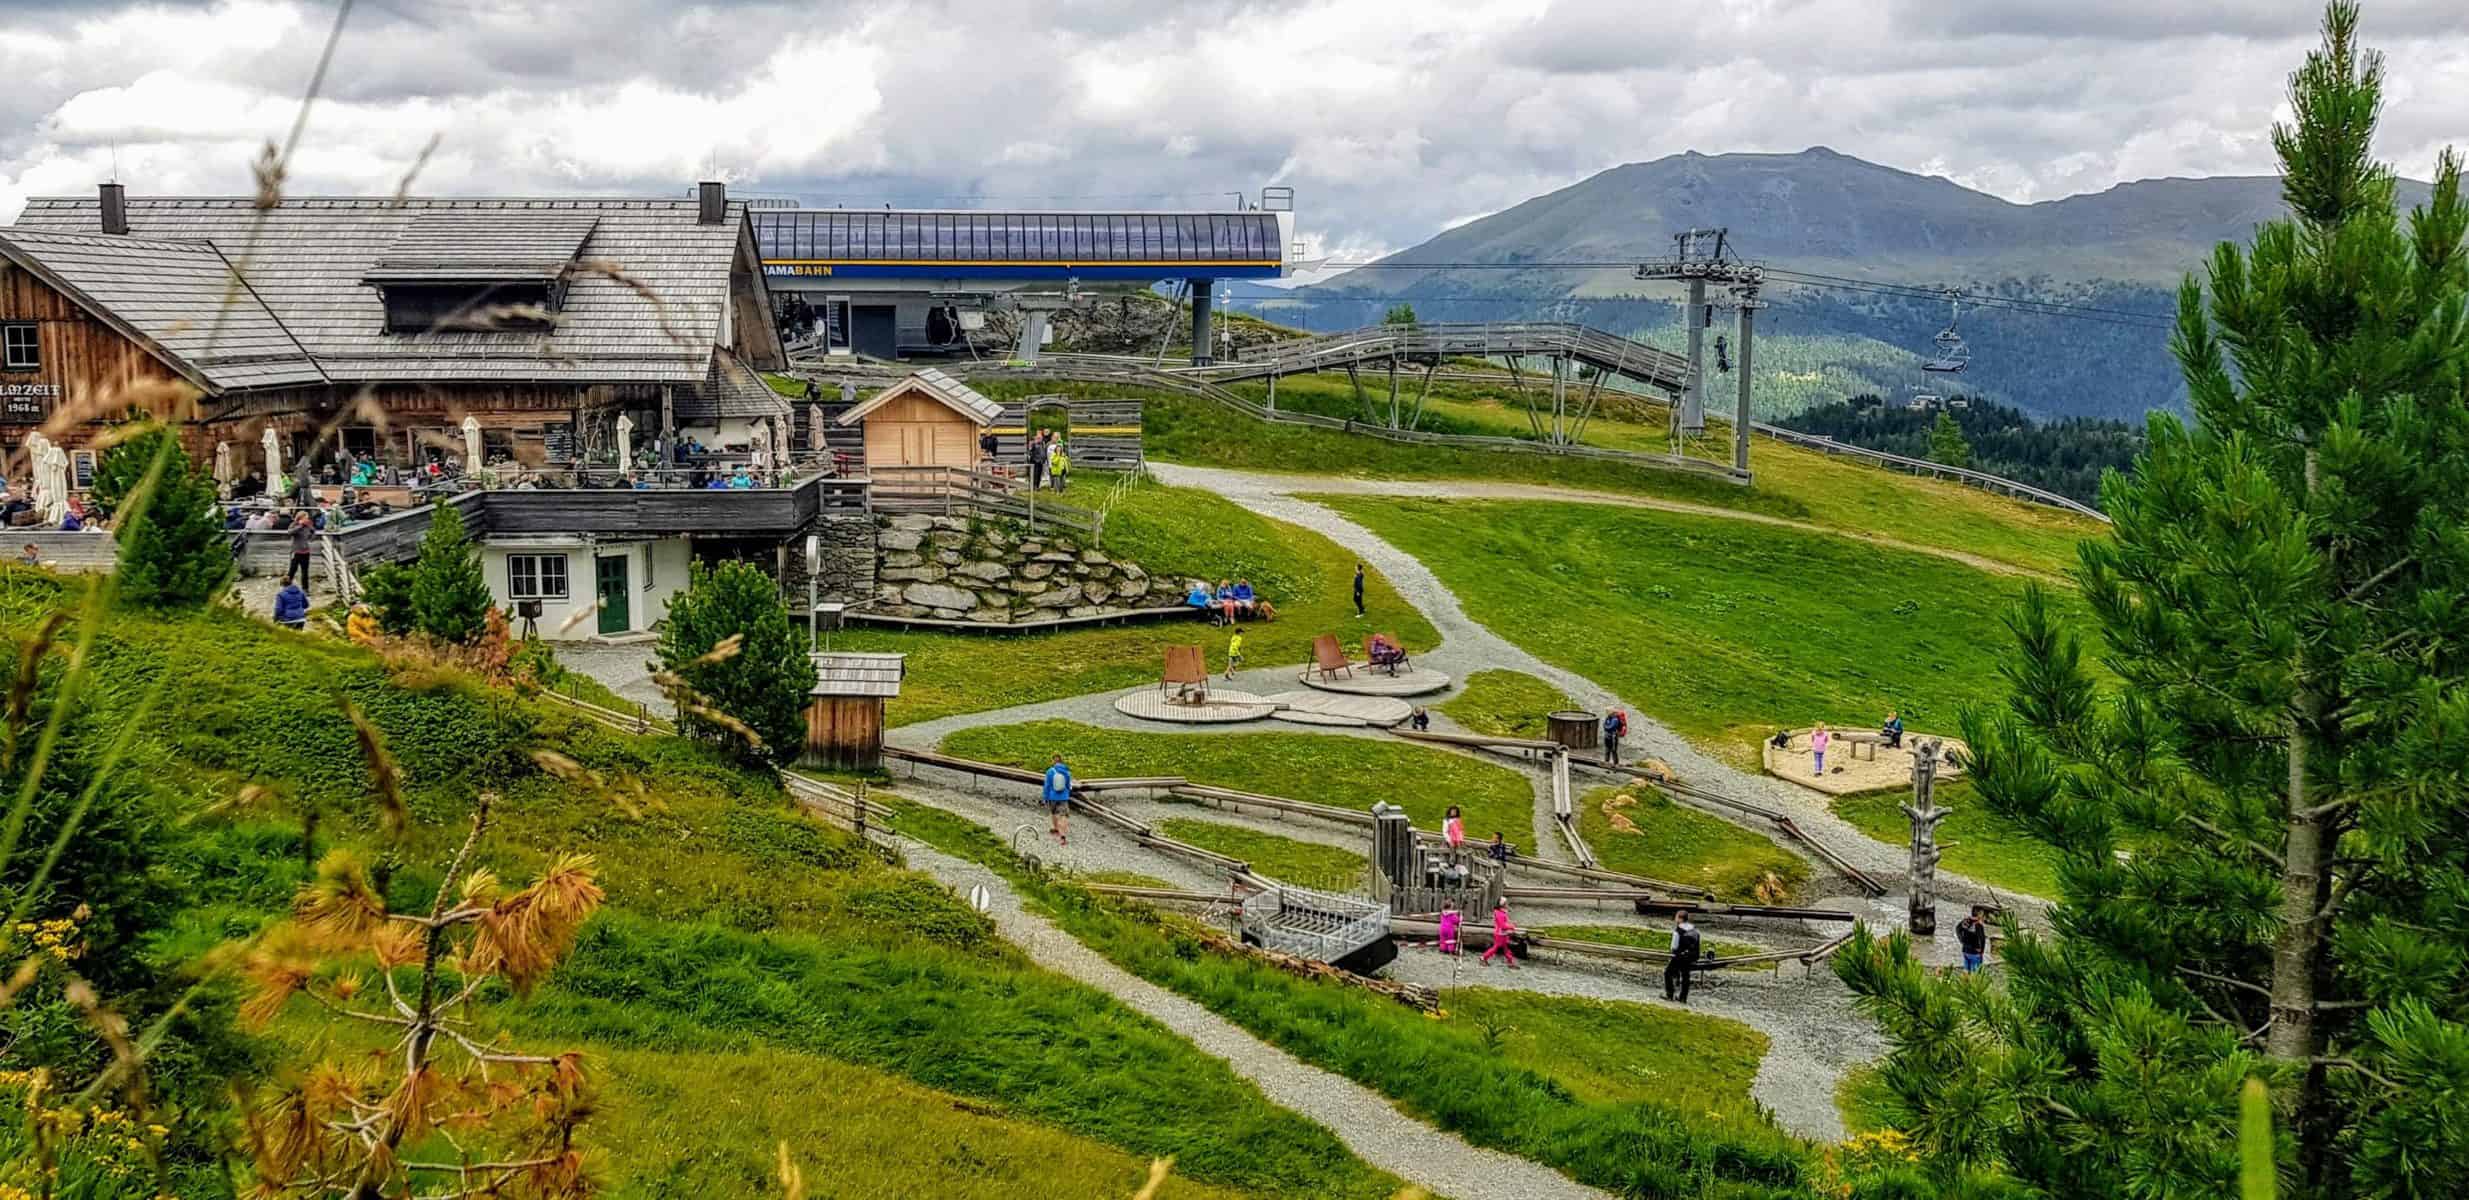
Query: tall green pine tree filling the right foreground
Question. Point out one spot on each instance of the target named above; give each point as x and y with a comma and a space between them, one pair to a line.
2265, 826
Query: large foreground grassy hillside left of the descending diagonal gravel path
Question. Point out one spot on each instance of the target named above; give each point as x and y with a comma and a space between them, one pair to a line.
737, 930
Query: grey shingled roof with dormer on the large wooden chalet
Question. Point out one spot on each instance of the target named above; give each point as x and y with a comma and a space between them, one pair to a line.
646, 280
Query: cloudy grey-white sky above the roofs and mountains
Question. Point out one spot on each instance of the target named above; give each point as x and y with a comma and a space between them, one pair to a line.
1389, 120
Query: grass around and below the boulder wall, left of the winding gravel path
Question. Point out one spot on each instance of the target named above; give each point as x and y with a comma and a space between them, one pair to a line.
1172, 532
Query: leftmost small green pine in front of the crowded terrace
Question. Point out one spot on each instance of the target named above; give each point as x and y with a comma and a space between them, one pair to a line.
172, 542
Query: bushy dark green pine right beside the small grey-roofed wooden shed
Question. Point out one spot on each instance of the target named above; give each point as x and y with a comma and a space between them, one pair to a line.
762, 688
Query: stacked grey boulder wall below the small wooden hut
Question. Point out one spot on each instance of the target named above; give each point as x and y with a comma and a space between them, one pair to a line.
999, 574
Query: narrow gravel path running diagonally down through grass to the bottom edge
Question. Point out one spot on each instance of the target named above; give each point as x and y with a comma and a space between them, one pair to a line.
1367, 1122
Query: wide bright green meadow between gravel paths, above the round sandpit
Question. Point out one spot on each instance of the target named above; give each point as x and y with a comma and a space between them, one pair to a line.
1717, 628
